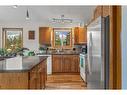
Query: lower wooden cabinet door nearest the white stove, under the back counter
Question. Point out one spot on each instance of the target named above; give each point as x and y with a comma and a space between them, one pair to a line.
75, 64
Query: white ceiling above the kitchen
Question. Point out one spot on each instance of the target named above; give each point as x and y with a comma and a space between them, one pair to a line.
44, 14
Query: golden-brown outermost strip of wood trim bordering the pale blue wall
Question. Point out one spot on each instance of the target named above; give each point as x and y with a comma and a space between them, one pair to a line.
119, 59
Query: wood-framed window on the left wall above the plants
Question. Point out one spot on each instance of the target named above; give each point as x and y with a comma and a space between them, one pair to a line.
12, 38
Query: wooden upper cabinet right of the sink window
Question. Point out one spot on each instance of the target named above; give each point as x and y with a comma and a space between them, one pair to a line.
80, 35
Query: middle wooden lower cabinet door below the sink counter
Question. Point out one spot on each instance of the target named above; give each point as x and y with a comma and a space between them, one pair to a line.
66, 63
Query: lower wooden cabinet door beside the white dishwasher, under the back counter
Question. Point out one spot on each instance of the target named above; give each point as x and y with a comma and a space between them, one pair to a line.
56, 63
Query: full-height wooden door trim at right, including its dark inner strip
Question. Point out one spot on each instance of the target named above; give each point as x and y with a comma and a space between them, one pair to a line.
117, 46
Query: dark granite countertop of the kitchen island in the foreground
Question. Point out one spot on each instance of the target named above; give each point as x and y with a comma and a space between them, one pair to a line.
26, 63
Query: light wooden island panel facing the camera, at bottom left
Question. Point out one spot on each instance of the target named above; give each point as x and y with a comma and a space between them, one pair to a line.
12, 80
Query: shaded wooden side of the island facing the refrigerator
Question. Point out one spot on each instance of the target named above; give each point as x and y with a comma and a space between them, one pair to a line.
38, 77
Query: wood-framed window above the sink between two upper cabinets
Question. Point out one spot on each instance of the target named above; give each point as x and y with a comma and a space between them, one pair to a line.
62, 37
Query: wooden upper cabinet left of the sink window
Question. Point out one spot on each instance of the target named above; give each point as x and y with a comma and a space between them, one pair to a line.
45, 35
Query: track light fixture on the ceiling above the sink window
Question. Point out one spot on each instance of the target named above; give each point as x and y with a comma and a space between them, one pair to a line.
62, 19
